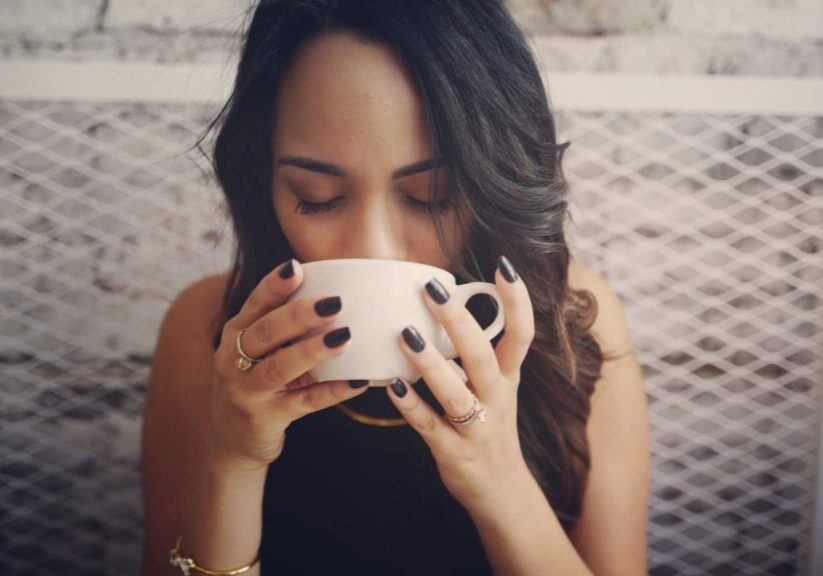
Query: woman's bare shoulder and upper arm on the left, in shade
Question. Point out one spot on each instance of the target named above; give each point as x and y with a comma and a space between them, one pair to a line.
175, 424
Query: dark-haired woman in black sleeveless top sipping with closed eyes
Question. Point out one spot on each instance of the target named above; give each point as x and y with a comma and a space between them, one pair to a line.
414, 131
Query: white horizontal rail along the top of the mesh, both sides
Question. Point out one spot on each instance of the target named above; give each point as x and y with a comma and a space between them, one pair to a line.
581, 92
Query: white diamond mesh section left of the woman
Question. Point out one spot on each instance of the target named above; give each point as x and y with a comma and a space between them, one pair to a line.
102, 222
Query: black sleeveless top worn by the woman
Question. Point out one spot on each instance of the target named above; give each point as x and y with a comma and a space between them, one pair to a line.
350, 498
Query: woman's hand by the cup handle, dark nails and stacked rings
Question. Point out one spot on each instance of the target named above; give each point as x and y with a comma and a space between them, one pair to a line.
475, 461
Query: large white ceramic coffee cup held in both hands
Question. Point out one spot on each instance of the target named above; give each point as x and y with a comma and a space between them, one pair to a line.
379, 298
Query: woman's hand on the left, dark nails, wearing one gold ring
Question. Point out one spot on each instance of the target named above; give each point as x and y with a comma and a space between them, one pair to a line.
251, 410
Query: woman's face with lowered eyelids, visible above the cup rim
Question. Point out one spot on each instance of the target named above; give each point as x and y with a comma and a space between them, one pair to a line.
350, 130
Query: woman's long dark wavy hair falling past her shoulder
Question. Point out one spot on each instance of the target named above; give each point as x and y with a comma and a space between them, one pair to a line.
490, 121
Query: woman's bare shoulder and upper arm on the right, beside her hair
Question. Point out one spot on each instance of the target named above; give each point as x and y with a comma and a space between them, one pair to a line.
610, 535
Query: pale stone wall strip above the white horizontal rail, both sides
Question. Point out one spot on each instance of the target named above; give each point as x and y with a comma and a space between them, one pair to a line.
749, 37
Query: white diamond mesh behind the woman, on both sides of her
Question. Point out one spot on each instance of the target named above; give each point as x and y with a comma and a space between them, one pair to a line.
707, 226
